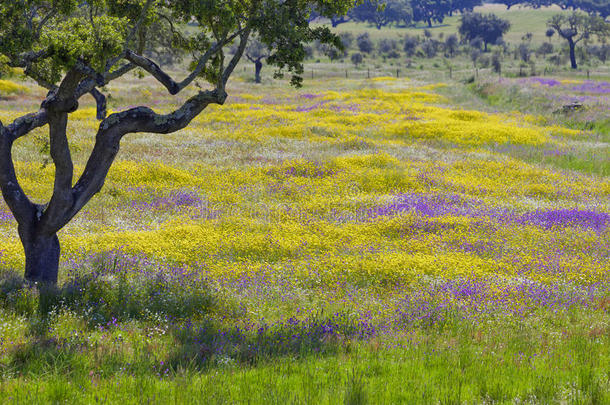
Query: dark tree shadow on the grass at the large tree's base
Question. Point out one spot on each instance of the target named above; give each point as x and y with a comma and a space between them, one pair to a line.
192, 339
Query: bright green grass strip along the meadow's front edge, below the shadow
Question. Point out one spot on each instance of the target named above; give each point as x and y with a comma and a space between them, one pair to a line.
559, 359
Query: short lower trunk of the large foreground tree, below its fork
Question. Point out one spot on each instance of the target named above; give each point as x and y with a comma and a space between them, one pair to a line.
41, 257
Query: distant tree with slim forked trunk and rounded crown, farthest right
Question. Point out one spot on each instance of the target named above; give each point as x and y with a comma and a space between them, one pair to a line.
576, 27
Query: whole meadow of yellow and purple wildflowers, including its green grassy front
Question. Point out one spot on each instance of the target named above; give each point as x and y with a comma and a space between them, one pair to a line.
337, 241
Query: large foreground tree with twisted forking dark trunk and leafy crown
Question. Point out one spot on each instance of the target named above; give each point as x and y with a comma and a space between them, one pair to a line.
76, 47
